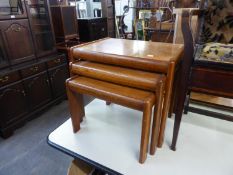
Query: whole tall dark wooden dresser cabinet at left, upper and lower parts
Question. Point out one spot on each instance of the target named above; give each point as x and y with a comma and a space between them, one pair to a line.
32, 74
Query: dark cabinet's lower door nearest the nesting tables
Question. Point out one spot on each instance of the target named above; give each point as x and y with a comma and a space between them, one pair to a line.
58, 77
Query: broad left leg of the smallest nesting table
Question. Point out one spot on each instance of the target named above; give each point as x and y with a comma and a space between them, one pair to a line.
76, 107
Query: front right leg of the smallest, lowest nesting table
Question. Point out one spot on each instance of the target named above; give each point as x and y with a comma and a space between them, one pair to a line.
145, 132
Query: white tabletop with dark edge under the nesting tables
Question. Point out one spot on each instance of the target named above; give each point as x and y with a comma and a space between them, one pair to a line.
110, 137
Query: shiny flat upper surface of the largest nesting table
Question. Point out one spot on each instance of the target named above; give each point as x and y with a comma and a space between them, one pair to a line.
156, 51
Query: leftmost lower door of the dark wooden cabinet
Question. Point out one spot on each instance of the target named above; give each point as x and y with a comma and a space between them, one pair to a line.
13, 104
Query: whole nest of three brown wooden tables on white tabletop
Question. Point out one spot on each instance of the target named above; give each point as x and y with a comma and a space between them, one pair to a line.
100, 69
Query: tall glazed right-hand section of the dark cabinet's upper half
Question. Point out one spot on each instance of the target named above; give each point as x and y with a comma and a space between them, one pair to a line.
41, 28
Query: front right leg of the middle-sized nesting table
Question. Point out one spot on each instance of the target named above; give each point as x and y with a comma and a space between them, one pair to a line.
156, 119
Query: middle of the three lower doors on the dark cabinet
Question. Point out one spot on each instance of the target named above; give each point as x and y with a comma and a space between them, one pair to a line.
38, 90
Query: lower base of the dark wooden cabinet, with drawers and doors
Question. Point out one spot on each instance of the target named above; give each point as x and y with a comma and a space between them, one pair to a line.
25, 92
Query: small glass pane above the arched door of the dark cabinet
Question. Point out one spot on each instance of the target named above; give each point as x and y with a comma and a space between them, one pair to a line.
11, 7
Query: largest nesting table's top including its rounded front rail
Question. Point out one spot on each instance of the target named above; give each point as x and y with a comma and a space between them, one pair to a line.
149, 56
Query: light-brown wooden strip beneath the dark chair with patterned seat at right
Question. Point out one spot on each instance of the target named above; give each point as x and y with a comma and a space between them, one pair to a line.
226, 102
